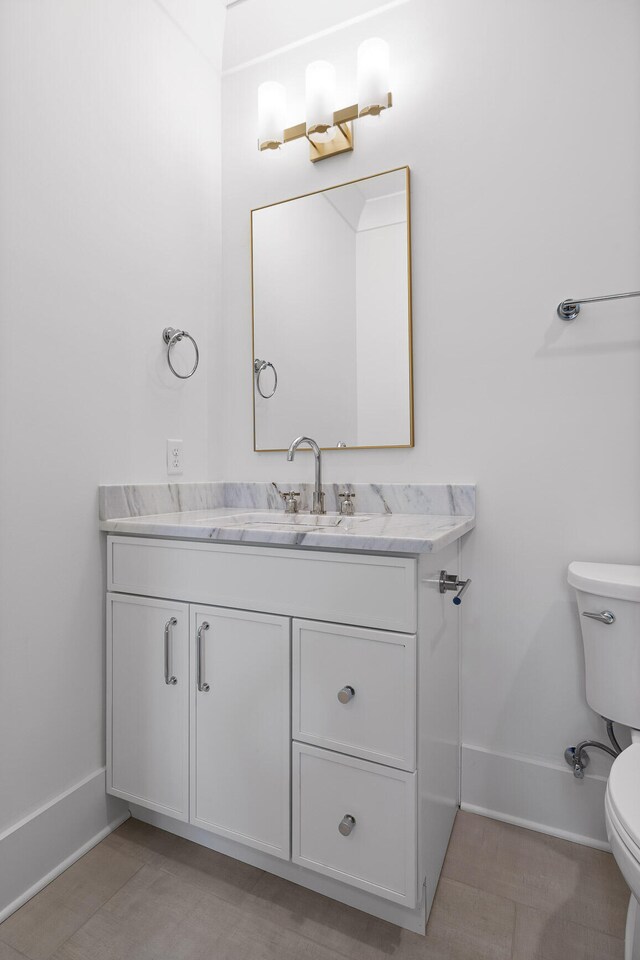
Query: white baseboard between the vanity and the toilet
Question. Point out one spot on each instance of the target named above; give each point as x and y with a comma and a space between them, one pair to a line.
540, 796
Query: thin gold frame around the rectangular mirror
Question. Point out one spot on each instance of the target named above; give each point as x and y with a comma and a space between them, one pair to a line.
391, 446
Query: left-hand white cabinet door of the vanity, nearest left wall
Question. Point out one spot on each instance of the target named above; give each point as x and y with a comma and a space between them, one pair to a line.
148, 703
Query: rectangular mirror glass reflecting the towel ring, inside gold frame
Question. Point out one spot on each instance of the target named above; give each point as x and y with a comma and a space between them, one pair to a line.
331, 275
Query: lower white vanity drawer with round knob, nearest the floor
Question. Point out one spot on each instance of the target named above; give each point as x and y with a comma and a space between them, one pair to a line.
379, 852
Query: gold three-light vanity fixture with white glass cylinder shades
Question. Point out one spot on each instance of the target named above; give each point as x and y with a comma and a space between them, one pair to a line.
329, 131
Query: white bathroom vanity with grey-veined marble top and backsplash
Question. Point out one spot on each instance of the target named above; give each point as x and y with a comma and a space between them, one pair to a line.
285, 691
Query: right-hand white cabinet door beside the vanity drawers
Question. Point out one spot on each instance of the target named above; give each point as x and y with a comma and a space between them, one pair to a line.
240, 726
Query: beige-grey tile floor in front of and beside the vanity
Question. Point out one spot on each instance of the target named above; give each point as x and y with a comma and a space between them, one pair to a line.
142, 894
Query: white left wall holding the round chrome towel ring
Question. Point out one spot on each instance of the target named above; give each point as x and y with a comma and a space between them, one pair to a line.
109, 231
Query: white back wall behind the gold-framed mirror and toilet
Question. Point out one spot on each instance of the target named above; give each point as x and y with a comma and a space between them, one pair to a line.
519, 122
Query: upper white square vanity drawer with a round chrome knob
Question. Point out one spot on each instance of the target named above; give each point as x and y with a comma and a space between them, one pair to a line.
378, 721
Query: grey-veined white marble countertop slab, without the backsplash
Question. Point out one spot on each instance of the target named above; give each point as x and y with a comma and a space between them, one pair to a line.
389, 533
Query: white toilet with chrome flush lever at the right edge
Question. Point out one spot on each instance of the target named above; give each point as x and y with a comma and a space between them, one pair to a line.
609, 604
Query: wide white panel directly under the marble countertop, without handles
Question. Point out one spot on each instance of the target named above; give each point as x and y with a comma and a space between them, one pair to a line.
375, 591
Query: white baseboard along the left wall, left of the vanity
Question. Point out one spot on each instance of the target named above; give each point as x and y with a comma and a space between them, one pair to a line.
36, 850
